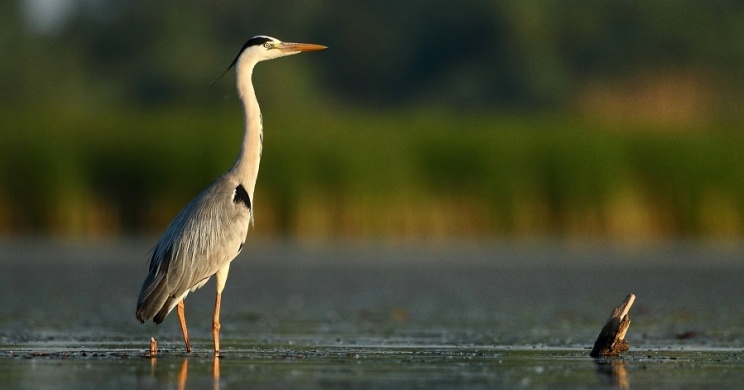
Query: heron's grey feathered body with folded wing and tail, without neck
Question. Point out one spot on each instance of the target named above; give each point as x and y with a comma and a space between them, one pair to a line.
205, 236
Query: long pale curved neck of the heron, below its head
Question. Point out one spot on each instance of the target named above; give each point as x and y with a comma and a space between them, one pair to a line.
246, 165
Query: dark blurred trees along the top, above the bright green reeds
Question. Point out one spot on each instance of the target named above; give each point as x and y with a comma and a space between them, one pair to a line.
480, 53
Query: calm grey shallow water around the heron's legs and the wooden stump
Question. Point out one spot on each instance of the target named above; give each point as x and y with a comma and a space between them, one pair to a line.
372, 315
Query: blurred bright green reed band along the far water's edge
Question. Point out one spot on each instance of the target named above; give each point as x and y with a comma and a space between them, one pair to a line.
329, 172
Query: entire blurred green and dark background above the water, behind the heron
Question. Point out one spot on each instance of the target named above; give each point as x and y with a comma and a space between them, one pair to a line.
618, 120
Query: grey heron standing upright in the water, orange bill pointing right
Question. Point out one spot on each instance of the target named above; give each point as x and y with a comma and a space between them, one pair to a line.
210, 231
